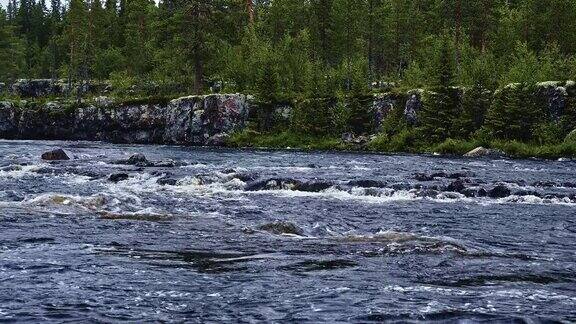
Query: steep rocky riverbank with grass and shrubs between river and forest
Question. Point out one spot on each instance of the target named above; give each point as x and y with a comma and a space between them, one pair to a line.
384, 122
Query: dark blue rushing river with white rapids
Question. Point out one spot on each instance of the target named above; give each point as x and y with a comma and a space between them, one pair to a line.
206, 235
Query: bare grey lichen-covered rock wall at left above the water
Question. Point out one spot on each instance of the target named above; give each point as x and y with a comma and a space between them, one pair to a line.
195, 120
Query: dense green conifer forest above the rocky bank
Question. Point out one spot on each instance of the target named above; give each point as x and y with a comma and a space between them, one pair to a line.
284, 48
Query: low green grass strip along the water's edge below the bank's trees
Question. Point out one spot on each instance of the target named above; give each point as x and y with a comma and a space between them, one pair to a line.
405, 142
